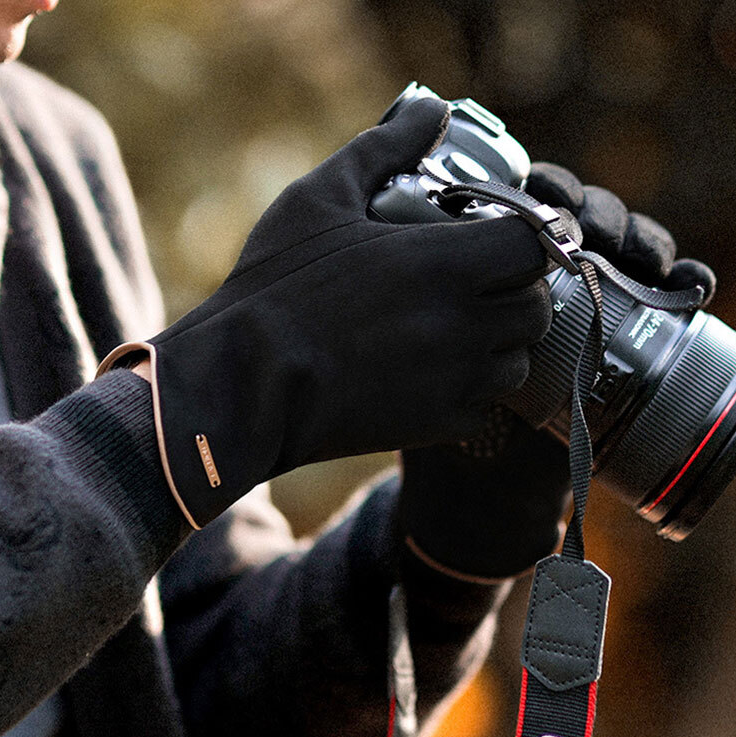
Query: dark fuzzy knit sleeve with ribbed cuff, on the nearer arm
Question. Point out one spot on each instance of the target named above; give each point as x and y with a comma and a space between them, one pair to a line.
85, 521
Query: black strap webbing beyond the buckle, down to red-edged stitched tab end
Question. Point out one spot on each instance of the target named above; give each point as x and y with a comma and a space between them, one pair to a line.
563, 639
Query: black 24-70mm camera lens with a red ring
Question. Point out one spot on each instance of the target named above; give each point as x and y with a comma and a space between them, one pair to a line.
662, 412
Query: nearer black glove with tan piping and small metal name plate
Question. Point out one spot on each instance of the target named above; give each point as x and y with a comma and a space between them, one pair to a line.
336, 335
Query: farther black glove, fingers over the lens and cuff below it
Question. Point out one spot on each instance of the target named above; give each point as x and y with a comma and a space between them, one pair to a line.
492, 507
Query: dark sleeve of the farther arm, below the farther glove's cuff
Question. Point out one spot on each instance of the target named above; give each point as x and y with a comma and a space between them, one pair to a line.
298, 645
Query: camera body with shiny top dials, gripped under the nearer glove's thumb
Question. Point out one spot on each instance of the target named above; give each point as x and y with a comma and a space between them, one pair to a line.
476, 148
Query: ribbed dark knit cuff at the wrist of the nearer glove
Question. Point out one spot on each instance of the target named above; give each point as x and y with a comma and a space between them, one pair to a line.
107, 433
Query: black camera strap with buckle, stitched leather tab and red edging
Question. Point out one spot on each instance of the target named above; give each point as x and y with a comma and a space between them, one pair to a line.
562, 646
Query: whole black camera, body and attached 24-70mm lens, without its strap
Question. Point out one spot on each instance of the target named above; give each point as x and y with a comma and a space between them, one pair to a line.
662, 415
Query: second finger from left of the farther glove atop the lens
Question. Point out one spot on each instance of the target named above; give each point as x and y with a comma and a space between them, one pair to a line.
604, 220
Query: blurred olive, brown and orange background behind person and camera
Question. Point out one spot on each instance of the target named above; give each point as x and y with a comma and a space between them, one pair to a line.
218, 106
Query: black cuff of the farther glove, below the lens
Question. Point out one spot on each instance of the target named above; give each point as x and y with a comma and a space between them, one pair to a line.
488, 515
